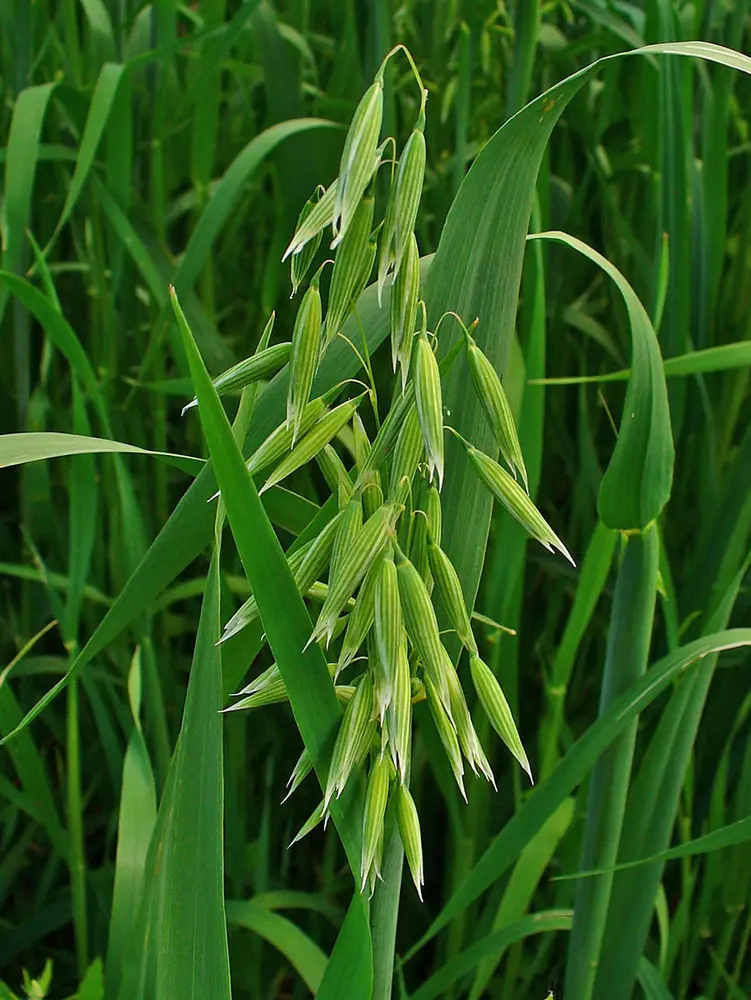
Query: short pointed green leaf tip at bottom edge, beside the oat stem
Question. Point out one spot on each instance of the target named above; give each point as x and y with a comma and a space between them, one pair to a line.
349, 972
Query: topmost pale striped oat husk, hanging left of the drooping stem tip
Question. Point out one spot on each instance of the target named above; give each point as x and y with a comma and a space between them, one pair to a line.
359, 157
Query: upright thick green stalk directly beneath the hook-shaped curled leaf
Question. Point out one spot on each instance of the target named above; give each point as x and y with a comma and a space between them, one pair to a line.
625, 661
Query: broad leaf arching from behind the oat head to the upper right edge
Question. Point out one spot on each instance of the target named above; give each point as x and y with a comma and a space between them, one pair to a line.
490, 215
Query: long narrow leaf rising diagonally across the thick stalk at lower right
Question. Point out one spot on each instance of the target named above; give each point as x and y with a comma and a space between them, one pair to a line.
572, 770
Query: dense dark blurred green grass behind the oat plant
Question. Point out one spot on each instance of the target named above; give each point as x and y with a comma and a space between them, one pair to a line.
144, 144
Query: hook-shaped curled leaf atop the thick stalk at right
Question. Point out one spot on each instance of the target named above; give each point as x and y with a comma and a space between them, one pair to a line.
637, 482
